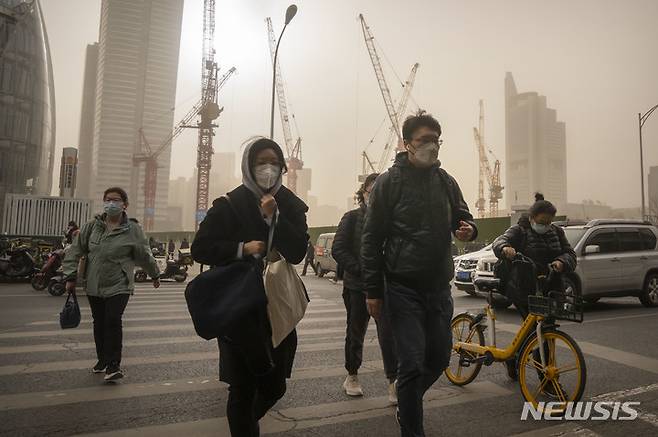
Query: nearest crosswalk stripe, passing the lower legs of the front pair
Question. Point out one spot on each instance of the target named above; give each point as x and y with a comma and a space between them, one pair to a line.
279, 421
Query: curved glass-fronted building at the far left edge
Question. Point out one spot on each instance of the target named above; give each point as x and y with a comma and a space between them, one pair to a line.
27, 100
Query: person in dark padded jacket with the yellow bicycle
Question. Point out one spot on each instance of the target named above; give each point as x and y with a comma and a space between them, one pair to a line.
546, 245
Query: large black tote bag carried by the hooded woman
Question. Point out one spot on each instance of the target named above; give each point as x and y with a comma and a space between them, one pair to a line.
220, 297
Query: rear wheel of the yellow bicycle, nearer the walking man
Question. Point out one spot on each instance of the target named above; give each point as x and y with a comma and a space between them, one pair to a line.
464, 365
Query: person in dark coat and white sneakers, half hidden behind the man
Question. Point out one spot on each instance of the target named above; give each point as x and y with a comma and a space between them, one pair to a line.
347, 251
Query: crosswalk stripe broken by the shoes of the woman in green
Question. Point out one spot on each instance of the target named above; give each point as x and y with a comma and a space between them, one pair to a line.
57, 366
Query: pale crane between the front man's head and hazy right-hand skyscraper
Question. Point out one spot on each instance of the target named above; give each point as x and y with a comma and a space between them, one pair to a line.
491, 176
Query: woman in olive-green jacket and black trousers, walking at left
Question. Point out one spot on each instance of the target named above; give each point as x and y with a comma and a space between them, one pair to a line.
112, 245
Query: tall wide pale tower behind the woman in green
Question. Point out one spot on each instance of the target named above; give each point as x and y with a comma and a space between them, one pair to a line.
135, 95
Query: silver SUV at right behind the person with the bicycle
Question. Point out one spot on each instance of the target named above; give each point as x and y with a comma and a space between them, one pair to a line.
615, 258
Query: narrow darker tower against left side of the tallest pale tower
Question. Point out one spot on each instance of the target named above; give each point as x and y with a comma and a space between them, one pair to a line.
87, 116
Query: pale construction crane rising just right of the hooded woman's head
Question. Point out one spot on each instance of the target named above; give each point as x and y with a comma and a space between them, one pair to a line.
293, 147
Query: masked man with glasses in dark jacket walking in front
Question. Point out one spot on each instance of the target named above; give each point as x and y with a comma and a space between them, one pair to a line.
406, 245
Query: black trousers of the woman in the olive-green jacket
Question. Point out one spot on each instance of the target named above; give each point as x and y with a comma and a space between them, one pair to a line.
108, 332
